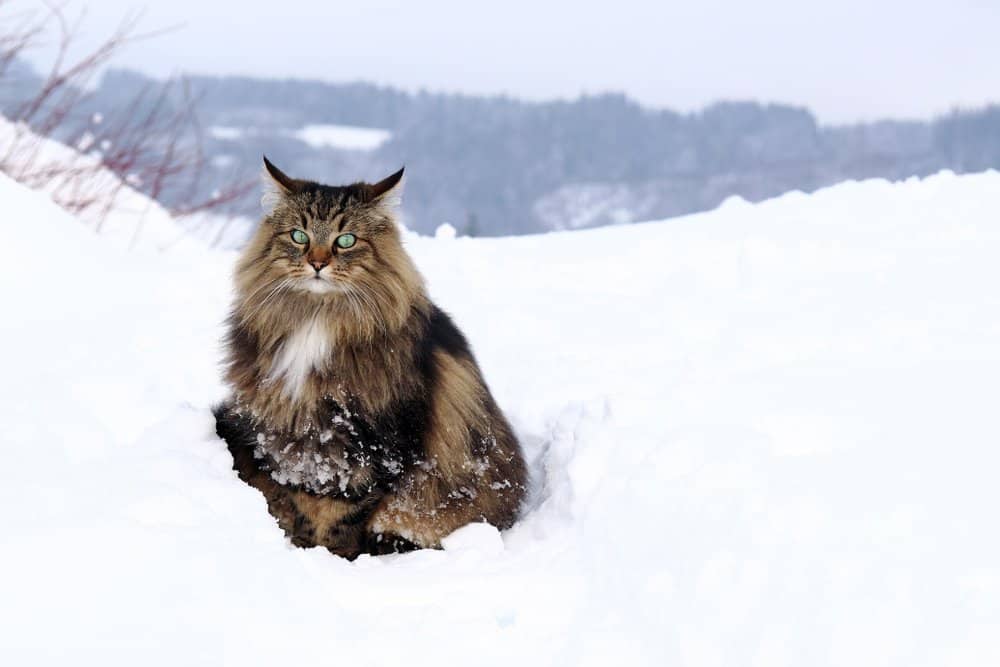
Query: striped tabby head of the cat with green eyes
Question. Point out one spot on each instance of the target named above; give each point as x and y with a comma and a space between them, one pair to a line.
329, 243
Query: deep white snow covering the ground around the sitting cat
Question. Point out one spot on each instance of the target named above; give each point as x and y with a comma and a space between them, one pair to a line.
764, 435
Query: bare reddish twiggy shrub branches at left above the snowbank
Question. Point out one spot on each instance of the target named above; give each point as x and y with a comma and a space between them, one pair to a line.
153, 143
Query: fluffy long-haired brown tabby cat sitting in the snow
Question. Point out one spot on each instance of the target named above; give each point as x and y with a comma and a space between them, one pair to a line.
357, 409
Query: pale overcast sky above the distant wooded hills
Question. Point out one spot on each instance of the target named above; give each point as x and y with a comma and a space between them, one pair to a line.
845, 59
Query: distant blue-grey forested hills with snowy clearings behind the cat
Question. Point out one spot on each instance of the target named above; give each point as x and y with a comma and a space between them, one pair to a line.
498, 166
